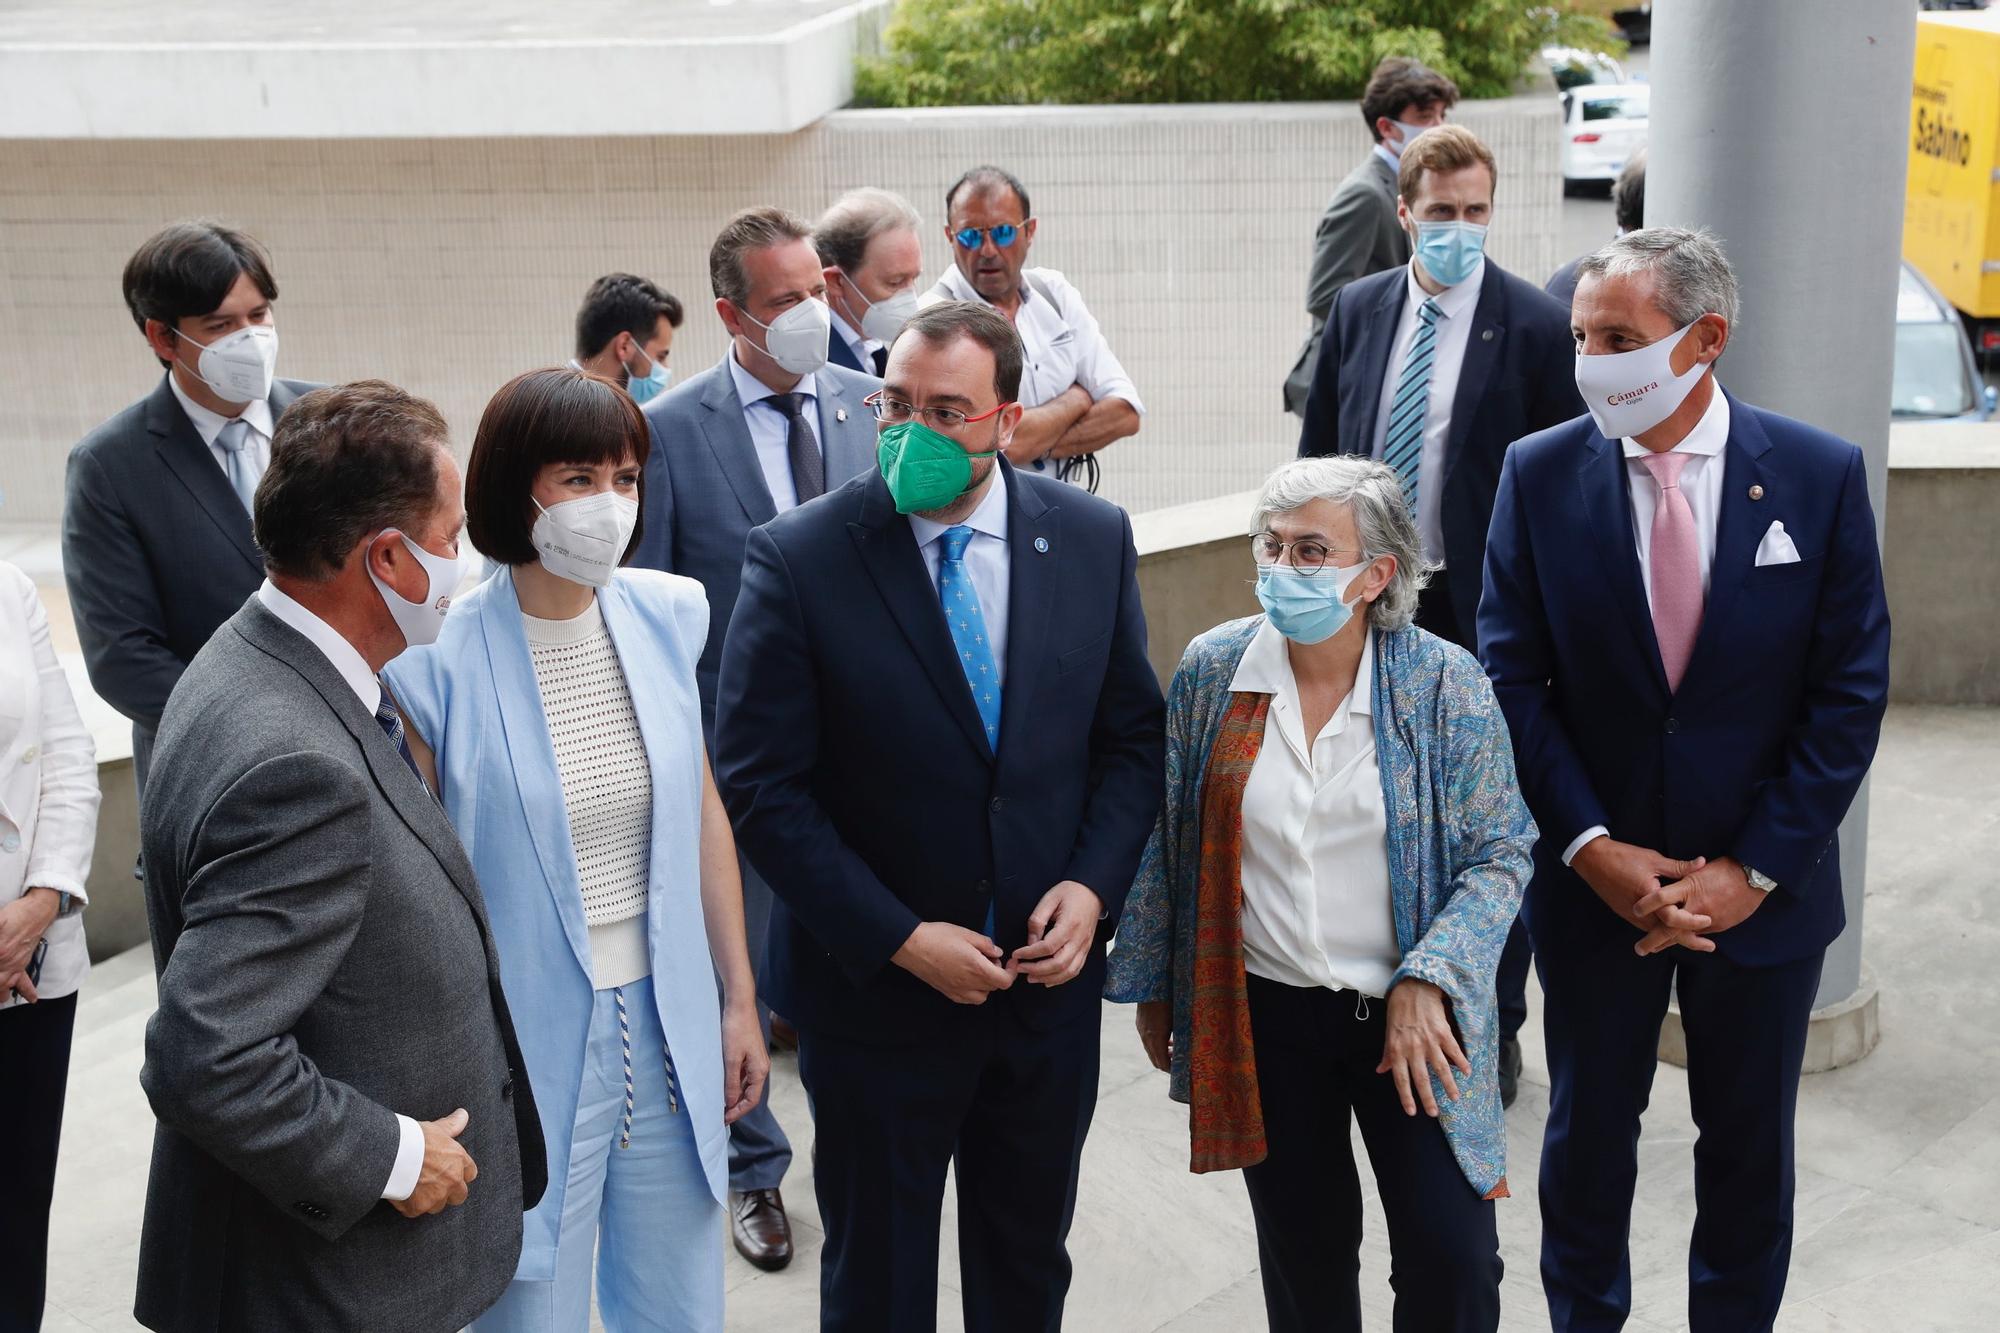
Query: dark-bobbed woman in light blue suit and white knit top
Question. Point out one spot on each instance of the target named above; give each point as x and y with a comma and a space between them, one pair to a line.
559, 722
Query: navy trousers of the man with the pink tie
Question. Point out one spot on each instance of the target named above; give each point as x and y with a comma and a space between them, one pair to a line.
1747, 1042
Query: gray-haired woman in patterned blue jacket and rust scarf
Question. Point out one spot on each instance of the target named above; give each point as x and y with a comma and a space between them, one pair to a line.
1323, 906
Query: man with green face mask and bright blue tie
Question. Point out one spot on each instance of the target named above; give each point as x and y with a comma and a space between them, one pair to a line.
941, 746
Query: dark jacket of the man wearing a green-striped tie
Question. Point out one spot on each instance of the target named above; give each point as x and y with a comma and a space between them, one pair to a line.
1519, 377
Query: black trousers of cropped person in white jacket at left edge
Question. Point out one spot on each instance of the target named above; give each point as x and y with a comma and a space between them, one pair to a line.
35, 1068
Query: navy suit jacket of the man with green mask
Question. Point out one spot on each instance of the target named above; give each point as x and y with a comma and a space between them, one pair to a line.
857, 770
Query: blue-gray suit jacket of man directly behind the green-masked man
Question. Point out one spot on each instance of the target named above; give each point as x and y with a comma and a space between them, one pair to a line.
705, 489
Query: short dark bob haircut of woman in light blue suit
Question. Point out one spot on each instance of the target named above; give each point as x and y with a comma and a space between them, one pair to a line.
537, 419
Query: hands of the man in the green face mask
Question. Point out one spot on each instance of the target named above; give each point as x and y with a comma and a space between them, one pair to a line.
967, 968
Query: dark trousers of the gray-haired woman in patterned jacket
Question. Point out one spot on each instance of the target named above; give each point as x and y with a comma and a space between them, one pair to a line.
1315, 1064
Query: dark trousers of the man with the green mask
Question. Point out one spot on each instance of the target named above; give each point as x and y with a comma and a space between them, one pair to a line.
1009, 1110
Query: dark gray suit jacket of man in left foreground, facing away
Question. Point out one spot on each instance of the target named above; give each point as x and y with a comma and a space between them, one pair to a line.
325, 966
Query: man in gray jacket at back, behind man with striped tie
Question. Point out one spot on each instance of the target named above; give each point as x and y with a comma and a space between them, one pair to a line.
1359, 233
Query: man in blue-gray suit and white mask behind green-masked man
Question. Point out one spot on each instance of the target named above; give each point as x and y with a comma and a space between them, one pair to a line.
765, 429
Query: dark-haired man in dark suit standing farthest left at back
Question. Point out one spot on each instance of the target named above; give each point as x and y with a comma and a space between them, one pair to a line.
157, 525
